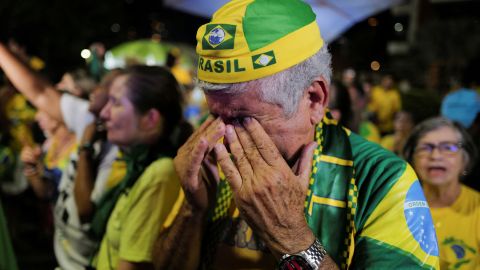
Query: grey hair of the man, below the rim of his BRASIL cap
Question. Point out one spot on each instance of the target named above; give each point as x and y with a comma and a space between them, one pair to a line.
284, 88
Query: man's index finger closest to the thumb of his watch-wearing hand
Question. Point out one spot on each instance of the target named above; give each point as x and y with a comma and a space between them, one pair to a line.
267, 149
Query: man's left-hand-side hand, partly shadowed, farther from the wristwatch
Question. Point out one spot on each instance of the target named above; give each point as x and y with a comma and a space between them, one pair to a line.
189, 160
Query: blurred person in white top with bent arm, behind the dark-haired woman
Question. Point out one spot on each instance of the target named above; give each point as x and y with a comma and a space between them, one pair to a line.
92, 171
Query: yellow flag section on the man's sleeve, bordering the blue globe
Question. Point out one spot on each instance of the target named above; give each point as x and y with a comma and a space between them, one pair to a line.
391, 212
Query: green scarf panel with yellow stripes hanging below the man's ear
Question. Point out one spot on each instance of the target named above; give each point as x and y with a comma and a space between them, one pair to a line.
333, 183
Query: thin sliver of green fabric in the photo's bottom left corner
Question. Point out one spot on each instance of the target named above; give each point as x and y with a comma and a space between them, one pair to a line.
7, 256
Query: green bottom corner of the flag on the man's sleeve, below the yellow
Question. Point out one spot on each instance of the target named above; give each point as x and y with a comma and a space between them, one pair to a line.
386, 256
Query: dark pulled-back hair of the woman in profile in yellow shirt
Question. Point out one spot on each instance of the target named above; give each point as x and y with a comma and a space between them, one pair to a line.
153, 87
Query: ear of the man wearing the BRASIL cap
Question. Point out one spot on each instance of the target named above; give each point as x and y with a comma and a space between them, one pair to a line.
317, 94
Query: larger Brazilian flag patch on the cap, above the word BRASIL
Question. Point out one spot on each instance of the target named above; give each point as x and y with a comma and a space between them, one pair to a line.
219, 37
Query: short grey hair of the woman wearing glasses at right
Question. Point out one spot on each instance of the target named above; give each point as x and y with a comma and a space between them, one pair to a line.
469, 149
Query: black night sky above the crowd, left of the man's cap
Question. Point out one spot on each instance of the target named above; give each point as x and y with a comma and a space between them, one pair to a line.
58, 30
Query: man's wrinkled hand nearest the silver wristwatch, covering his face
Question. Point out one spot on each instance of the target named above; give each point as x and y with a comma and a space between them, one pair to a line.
269, 195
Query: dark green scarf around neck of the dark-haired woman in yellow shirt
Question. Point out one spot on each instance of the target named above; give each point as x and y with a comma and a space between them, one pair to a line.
137, 159
